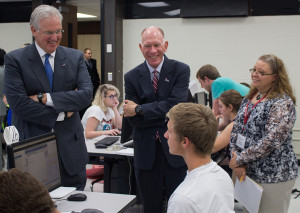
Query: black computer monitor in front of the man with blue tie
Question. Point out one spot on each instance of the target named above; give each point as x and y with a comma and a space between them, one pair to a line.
39, 157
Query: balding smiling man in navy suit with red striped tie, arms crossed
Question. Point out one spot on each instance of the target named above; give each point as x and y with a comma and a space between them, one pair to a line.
158, 173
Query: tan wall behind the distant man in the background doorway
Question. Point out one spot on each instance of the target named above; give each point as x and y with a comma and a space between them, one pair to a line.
93, 42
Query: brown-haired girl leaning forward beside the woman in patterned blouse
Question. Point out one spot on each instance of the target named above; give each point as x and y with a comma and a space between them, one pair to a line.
229, 104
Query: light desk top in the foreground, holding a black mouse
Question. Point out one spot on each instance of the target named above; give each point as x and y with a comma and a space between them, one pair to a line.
106, 202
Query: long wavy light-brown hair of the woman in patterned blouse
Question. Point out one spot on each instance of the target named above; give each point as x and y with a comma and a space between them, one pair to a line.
281, 84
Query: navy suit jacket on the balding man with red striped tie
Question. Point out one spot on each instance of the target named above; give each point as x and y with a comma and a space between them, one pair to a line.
172, 89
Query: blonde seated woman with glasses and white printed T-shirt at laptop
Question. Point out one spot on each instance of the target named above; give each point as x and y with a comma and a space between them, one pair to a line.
103, 118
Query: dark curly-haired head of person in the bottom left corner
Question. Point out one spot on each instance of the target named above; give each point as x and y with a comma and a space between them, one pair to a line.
21, 192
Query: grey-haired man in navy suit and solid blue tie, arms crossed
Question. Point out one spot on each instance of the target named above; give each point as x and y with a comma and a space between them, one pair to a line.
46, 85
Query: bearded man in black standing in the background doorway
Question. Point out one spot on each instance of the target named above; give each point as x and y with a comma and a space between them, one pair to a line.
91, 65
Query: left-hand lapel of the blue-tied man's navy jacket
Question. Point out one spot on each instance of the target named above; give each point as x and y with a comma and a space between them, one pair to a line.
38, 68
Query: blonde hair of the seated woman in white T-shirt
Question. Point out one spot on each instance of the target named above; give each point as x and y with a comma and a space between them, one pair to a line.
101, 93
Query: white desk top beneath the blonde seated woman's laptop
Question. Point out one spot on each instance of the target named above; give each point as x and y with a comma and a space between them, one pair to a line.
103, 152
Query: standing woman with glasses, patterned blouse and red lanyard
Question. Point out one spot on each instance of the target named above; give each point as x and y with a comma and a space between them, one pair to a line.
262, 135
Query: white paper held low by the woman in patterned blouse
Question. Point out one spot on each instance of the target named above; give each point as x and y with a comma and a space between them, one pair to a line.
248, 193
